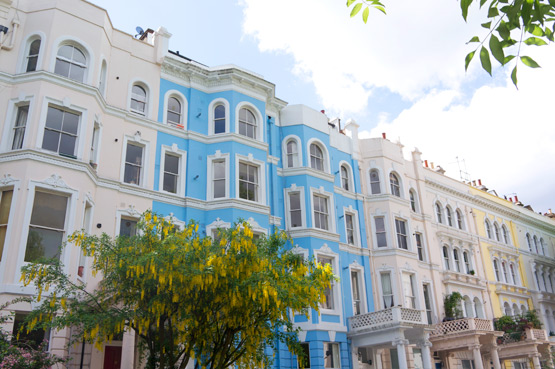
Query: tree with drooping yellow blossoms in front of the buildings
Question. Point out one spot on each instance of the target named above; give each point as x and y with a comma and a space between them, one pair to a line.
220, 301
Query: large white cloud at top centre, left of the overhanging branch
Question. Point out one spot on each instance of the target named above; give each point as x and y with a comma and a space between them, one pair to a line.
417, 45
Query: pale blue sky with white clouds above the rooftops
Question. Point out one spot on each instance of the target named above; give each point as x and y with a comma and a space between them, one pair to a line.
401, 74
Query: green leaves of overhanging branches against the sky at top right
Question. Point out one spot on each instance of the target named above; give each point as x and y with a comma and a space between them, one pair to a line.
510, 25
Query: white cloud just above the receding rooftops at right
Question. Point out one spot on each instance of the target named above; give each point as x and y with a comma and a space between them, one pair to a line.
505, 136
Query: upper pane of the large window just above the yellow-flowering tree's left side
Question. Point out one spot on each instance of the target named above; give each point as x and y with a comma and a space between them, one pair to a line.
49, 210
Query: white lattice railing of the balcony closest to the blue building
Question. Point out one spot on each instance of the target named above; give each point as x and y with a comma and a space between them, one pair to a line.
392, 316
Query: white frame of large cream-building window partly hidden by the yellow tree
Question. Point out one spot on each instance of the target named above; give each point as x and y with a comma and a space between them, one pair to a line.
54, 185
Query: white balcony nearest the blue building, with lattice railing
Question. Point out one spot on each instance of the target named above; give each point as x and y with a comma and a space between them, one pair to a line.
383, 326
